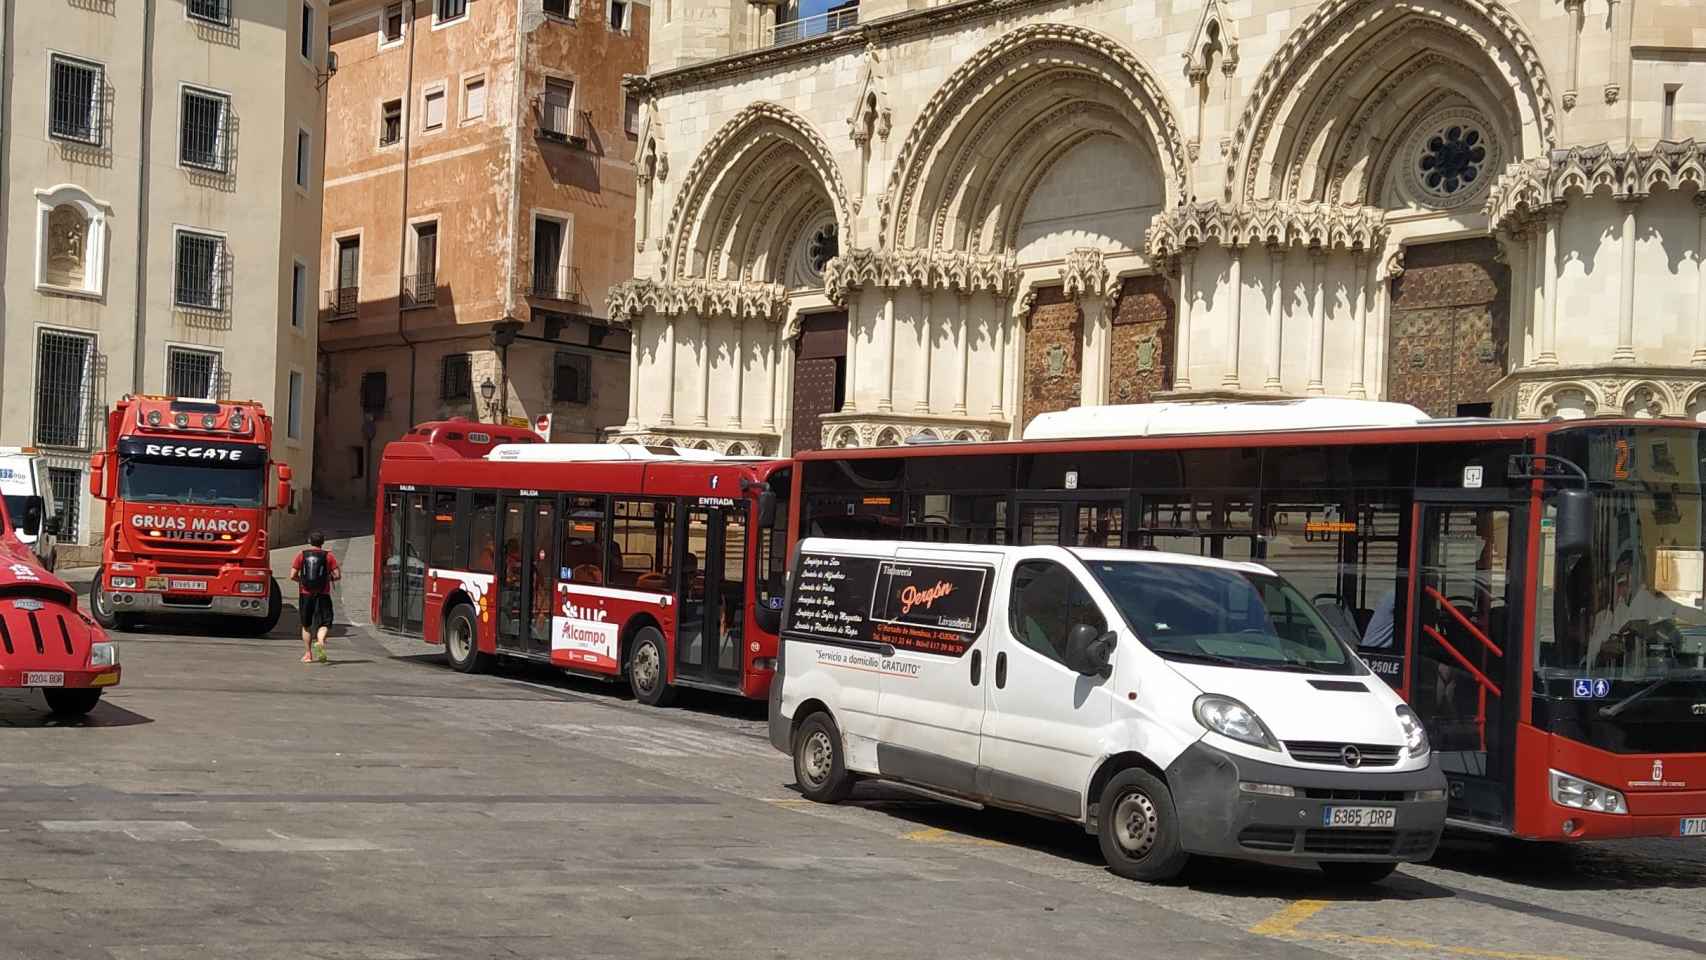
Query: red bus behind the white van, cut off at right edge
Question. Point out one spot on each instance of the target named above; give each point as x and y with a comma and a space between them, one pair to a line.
1533, 589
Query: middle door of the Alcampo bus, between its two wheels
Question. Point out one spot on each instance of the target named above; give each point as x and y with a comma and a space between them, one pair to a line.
526, 574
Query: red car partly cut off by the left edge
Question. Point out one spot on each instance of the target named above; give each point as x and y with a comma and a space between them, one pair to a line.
47, 644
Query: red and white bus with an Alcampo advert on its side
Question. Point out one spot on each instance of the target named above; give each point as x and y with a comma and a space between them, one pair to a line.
651, 564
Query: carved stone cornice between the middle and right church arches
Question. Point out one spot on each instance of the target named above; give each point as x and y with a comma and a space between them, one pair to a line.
1280, 224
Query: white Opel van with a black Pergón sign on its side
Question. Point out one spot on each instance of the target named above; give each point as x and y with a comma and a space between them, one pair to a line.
1173, 705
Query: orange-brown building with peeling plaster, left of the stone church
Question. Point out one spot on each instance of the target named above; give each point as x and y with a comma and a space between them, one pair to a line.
479, 207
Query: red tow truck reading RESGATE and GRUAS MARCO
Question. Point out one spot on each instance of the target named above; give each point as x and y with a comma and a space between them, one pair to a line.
187, 500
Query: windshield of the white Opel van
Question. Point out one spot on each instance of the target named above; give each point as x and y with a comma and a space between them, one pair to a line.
1222, 616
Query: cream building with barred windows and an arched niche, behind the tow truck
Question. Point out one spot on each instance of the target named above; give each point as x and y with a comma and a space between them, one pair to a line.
161, 197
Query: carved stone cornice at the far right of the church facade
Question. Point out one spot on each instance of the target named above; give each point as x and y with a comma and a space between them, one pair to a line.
1531, 188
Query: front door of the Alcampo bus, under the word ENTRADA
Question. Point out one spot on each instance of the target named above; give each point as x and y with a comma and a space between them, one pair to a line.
712, 594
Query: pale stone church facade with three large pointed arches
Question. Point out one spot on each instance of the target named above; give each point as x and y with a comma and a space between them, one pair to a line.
946, 217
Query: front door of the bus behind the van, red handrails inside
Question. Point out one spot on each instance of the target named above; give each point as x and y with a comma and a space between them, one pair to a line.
1466, 651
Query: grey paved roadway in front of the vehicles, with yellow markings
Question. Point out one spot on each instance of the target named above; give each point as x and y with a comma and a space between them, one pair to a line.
233, 802
